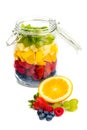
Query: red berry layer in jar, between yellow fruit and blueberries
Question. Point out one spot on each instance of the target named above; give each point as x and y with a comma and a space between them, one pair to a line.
36, 72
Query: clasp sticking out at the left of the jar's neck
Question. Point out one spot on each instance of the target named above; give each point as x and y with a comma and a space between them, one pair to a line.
12, 39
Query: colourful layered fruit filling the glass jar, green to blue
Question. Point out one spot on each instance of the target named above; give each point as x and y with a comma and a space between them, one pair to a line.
35, 55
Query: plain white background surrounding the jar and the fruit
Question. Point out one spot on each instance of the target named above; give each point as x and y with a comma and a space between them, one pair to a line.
14, 111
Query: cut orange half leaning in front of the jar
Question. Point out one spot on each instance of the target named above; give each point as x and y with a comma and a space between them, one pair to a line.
55, 89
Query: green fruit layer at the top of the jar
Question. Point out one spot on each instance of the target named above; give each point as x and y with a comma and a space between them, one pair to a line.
29, 40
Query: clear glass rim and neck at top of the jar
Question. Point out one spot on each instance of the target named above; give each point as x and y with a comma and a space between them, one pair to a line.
38, 22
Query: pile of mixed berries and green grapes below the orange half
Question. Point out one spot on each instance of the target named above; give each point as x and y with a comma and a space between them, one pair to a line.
48, 111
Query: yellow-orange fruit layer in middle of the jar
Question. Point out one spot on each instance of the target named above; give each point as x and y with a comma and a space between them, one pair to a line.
33, 55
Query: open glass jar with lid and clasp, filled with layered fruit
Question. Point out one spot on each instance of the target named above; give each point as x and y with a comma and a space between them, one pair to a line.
35, 53
